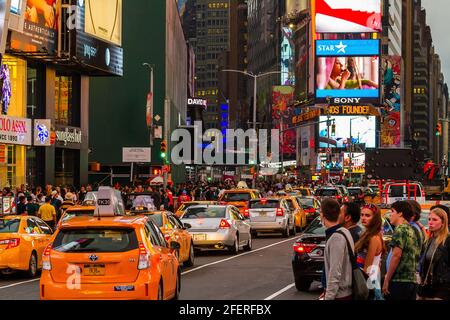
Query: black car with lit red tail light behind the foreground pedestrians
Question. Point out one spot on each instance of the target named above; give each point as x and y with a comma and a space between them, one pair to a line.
308, 258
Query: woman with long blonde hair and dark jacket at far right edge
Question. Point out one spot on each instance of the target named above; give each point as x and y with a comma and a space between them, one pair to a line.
435, 264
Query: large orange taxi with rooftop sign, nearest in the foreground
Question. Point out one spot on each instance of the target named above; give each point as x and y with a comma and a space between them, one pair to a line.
110, 256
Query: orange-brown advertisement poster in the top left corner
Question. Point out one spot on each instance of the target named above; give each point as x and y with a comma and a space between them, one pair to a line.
40, 31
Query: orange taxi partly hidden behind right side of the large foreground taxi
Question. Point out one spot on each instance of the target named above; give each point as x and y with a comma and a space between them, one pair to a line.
173, 230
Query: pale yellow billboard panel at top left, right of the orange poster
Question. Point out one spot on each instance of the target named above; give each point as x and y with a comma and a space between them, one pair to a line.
103, 19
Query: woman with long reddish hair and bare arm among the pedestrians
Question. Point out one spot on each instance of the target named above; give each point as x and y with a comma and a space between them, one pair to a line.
370, 247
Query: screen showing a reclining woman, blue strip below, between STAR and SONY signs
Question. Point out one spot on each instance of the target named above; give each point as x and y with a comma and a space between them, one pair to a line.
348, 77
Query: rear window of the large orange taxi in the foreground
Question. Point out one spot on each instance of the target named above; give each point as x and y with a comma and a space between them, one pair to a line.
95, 240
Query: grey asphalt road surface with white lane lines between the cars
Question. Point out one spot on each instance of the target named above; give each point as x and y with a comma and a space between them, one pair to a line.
263, 273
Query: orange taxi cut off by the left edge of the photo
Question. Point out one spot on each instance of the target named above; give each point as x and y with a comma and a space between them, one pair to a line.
23, 240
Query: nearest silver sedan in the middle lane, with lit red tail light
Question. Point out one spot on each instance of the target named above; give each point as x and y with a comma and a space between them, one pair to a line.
218, 227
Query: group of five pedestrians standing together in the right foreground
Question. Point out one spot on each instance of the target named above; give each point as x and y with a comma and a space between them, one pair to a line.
417, 263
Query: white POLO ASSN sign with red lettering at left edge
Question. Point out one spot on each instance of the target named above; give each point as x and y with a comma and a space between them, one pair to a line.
15, 130
